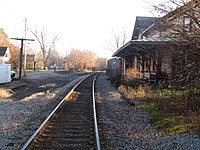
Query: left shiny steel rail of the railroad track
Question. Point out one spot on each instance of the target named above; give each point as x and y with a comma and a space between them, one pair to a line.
47, 119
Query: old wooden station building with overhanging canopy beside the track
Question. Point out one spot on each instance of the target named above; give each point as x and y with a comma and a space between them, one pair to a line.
151, 50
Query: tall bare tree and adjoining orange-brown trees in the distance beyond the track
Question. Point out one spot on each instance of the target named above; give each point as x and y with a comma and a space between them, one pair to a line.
77, 59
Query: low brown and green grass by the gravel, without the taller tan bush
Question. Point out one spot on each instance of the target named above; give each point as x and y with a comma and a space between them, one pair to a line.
170, 110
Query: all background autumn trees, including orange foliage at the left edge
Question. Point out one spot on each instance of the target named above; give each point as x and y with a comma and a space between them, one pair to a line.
48, 56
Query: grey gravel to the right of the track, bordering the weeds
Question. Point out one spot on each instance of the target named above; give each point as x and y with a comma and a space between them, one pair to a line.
127, 127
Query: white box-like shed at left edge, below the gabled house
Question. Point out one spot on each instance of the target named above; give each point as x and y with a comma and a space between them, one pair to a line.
5, 73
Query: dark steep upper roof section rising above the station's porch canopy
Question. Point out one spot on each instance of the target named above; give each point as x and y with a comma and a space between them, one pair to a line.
142, 23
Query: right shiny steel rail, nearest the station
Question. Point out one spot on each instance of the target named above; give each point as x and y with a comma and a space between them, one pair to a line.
95, 115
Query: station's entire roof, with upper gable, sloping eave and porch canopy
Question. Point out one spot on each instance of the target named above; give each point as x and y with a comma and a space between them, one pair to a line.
142, 24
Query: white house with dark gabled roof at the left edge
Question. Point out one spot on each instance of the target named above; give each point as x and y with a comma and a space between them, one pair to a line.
4, 55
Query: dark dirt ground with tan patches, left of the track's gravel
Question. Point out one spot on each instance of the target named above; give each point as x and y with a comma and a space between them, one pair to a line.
35, 82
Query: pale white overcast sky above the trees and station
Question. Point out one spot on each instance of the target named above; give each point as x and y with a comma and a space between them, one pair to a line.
81, 24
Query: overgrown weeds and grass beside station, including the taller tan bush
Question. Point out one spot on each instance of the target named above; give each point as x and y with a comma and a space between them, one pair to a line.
173, 111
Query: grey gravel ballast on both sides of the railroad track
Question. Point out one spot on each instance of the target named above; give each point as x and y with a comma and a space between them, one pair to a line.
122, 126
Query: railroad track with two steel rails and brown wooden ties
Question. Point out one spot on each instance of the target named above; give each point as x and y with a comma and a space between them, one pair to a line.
72, 124
